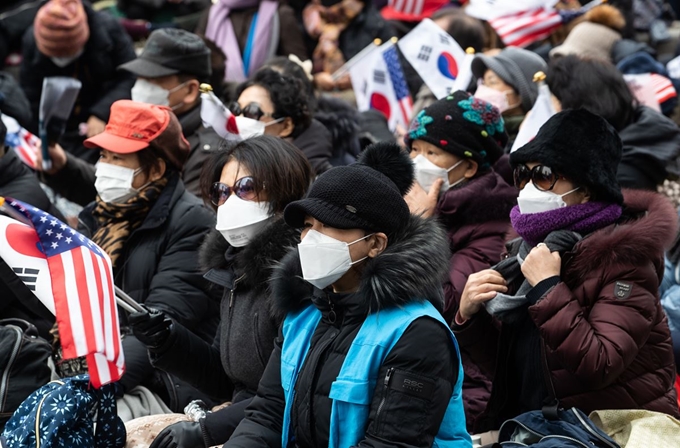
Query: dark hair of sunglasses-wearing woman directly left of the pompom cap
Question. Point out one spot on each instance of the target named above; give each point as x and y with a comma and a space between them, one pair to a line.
280, 169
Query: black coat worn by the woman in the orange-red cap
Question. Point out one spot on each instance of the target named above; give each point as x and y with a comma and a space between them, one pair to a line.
159, 268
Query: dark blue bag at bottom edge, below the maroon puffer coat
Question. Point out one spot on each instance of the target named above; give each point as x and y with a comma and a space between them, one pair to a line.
563, 428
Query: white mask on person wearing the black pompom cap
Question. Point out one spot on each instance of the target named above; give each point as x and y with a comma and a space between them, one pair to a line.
324, 260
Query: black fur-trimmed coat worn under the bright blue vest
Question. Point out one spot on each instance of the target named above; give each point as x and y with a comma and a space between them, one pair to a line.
425, 350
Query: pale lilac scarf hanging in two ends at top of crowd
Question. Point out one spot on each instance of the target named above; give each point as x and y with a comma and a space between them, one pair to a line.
221, 31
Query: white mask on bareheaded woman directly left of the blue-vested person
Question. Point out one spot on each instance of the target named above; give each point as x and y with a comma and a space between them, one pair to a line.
239, 220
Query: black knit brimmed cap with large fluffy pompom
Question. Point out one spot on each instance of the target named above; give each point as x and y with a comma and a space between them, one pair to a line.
366, 195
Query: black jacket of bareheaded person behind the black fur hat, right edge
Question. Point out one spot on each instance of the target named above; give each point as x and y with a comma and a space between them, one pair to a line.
650, 150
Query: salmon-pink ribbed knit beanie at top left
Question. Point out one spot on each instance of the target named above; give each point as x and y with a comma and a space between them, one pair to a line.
61, 28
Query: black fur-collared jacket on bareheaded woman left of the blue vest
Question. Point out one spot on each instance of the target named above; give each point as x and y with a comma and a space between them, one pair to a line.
233, 365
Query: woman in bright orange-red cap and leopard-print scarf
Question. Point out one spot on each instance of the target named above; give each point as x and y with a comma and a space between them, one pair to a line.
151, 228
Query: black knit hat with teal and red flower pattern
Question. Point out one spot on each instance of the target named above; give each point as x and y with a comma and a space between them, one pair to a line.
462, 125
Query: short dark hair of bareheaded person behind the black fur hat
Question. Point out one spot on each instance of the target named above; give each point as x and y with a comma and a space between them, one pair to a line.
594, 85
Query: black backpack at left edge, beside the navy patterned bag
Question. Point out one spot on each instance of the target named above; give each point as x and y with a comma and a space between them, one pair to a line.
23, 364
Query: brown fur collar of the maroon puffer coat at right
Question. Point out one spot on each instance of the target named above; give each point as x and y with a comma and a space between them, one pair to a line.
648, 226
